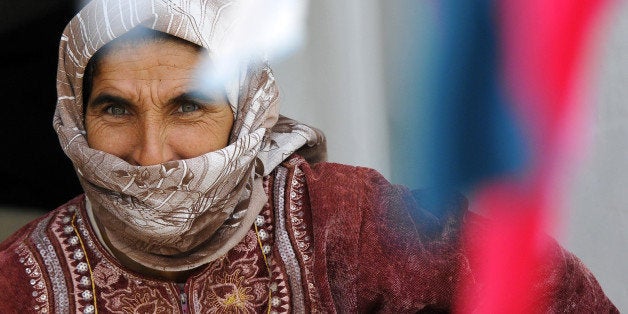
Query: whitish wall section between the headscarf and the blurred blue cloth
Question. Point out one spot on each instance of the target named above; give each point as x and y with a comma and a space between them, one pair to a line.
335, 81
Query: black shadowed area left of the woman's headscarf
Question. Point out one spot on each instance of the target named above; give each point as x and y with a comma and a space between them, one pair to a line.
34, 171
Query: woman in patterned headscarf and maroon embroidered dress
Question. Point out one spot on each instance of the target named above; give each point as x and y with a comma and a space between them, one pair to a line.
199, 201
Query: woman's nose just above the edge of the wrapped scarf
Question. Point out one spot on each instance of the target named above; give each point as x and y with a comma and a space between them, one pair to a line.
152, 147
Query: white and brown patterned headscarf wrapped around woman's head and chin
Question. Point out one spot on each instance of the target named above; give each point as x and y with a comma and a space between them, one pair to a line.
180, 214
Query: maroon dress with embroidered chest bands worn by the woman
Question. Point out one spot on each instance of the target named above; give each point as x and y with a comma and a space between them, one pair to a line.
331, 238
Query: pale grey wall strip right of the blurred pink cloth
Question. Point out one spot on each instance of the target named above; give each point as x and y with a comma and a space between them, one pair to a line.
597, 228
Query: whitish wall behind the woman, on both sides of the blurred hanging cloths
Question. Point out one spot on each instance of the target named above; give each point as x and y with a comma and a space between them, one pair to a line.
340, 82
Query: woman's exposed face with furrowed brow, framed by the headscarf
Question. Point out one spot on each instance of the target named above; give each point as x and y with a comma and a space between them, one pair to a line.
143, 110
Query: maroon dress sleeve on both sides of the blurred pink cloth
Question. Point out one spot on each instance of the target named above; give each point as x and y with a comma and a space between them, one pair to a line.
383, 248
